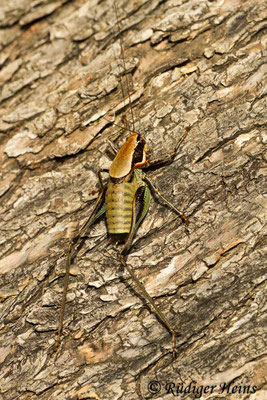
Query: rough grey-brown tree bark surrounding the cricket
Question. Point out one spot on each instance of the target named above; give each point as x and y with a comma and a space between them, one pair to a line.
195, 64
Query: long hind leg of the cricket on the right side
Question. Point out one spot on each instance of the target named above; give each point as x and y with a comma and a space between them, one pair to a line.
123, 258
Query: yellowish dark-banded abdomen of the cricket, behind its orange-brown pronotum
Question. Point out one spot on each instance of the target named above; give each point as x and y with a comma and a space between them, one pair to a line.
119, 203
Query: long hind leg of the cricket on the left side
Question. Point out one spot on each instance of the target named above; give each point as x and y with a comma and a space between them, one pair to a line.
98, 211
